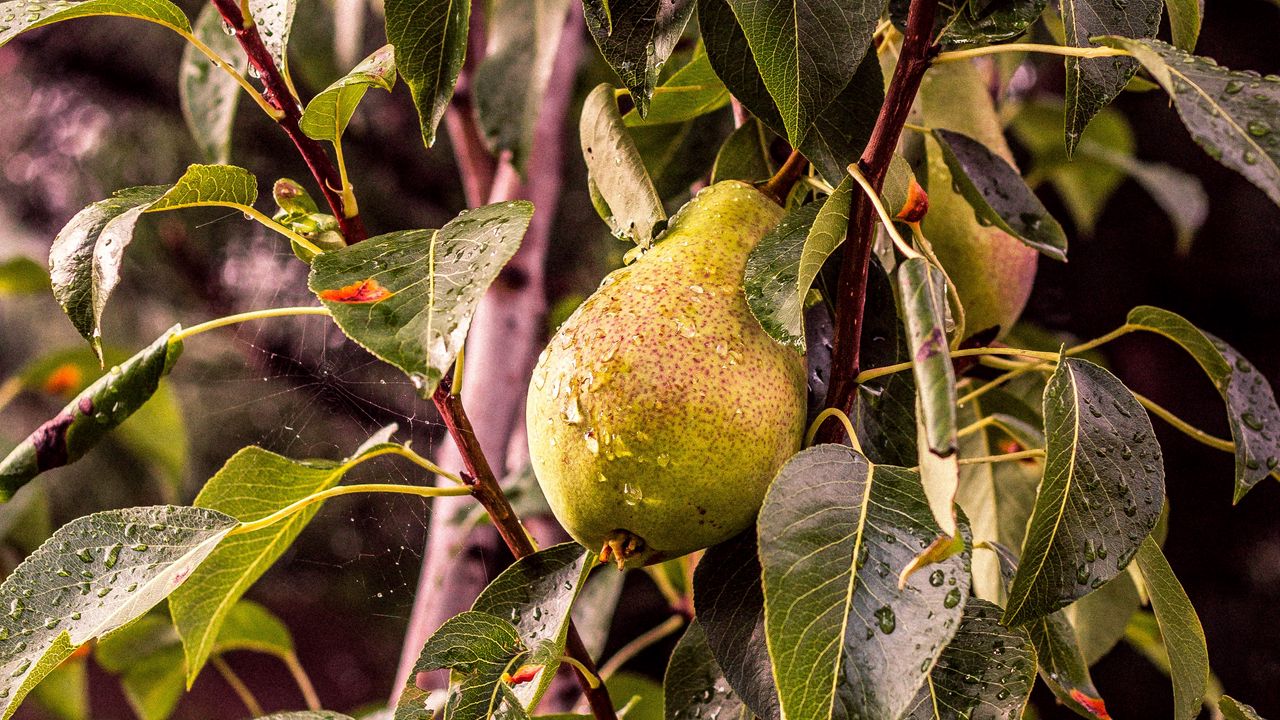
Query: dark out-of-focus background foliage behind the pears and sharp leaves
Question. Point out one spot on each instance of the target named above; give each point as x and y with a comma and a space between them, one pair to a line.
93, 107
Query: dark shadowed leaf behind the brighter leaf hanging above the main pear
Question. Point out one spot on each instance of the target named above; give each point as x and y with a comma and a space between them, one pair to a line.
834, 135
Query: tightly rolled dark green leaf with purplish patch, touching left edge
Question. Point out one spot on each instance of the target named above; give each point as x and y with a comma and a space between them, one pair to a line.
95, 412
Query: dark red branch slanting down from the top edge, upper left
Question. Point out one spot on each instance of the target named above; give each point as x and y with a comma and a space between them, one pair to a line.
278, 95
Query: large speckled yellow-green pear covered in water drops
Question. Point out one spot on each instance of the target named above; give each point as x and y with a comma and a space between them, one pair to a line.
661, 411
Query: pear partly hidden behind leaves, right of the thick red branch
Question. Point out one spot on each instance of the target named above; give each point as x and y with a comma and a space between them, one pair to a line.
991, 270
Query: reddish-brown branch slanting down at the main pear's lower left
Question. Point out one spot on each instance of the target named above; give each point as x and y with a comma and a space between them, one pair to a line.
488, 493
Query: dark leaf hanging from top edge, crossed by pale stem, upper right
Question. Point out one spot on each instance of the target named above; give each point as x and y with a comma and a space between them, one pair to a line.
1092, 84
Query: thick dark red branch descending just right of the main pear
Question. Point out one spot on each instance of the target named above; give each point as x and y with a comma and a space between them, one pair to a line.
918, 52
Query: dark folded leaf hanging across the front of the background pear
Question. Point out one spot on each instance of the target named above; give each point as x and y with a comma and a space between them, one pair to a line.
999, 195
